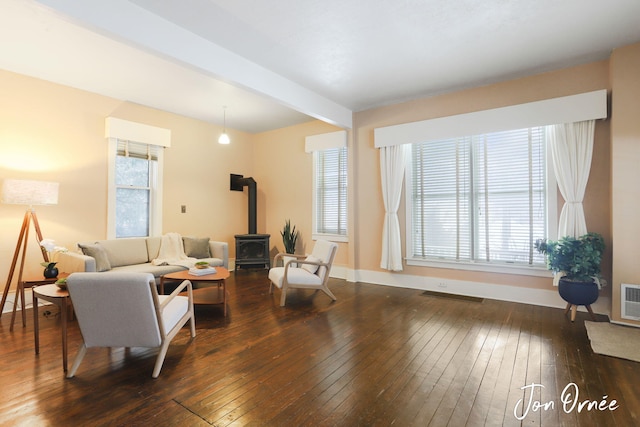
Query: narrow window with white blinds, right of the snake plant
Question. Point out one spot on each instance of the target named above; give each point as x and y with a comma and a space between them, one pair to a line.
330, 191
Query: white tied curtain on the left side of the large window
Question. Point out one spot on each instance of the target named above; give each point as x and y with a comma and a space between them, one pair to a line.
392, 165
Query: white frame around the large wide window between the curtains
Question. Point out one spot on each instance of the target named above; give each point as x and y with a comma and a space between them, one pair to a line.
471, 265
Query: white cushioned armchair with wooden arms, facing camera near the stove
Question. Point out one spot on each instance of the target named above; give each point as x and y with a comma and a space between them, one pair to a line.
311, 272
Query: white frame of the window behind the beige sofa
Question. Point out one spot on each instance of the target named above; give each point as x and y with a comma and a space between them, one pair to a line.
155, 196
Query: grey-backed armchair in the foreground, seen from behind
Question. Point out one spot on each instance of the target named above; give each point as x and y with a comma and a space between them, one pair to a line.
125, 310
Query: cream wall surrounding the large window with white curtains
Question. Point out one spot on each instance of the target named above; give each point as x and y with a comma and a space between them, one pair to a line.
368, 195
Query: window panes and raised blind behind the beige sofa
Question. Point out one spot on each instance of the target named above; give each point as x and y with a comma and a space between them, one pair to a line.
135, 177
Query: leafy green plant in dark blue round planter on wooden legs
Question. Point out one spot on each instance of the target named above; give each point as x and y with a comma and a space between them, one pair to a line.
575, 263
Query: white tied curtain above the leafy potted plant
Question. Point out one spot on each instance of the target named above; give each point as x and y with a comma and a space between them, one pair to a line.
571, 150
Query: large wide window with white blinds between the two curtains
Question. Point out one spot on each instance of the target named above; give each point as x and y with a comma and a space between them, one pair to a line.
479, 199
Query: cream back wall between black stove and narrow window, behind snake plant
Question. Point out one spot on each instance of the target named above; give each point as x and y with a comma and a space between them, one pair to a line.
283, 171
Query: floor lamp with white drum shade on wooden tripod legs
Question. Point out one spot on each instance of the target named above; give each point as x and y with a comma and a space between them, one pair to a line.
29, 193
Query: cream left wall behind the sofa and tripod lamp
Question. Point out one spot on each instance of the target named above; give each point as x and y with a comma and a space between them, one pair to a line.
53, 132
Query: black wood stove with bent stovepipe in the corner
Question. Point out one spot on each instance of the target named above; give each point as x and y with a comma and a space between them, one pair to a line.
252, 249
